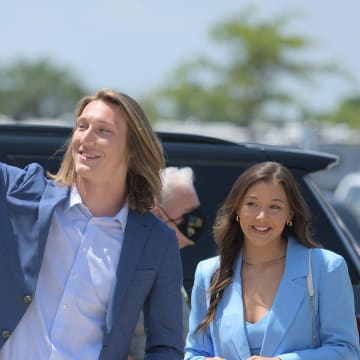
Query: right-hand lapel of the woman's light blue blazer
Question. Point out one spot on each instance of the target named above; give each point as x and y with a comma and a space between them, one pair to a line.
288, 298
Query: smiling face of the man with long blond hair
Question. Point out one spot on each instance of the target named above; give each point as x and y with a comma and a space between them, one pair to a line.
99, 144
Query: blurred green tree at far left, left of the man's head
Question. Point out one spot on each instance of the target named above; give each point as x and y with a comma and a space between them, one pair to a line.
37, 89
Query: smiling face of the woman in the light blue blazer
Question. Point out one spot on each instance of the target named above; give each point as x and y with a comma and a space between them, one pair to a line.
263, 214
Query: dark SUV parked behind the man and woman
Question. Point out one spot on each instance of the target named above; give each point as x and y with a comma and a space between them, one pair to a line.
216, 164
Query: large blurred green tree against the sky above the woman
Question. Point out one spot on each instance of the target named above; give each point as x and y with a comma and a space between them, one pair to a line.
242, 88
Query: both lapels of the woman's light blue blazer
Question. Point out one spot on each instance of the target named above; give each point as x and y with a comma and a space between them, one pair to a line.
229, 324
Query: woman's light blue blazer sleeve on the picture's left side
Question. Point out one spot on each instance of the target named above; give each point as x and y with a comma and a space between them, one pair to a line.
198, 344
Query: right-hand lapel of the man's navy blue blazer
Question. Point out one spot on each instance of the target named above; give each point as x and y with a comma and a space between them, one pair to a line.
135, 238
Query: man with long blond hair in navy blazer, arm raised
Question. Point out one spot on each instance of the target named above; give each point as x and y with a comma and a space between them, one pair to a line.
81, 254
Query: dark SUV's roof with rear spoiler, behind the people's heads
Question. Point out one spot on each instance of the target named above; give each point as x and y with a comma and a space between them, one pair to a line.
184, 145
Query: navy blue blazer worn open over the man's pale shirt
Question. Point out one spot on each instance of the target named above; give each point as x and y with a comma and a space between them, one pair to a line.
149, 273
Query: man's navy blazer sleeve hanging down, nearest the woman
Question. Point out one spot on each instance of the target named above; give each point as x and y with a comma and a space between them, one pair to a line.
163, 308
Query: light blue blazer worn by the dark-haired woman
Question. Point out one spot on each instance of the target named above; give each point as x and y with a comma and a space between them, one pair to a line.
289, 331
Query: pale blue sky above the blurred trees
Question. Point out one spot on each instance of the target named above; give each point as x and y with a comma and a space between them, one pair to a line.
133, 45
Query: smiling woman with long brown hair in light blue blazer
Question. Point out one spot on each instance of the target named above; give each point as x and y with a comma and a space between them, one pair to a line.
272, 293
